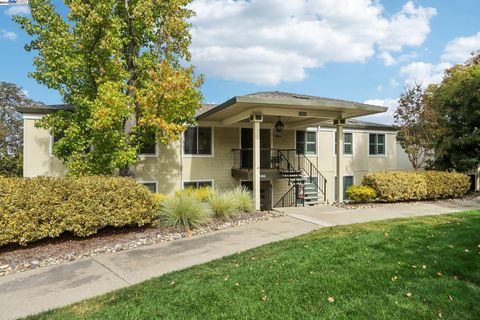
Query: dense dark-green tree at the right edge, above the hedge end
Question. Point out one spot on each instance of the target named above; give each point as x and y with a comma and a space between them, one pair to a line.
457, 102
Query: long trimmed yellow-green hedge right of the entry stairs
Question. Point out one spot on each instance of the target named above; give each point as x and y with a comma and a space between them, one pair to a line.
426, 185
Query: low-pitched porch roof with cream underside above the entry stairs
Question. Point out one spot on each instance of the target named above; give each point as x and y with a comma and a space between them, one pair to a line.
295, 110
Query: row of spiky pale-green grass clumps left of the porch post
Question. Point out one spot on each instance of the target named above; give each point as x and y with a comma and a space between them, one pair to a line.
191, 208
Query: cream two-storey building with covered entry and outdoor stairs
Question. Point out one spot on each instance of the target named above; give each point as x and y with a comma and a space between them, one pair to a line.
287, 148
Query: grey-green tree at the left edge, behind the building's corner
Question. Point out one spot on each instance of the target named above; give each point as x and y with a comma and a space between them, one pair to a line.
11, 128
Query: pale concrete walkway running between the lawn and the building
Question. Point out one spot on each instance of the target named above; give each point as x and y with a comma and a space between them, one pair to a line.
38, 290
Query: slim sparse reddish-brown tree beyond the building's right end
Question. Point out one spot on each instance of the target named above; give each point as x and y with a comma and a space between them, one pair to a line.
417, 125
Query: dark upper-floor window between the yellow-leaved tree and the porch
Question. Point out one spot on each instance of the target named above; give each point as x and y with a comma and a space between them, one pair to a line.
198, 141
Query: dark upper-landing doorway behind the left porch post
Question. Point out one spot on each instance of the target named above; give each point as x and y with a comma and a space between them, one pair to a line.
247, 143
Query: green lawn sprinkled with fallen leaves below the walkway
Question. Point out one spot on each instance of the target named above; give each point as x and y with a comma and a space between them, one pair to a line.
422, 268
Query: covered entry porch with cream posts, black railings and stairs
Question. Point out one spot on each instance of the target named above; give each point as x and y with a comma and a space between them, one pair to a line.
278, 112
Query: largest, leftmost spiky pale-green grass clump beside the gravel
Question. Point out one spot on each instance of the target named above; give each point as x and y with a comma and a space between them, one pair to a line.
184, 210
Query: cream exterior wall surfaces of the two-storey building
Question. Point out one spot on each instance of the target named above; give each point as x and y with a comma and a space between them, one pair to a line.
169, 168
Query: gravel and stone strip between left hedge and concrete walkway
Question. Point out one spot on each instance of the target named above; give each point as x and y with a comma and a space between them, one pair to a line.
15, 258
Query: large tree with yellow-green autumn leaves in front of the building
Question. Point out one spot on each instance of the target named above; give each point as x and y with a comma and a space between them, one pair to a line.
124, 65
